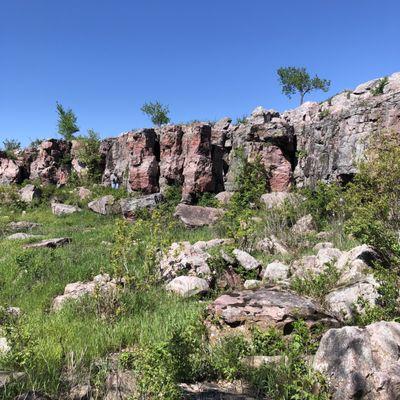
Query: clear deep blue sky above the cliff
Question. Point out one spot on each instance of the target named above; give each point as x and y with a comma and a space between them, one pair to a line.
204, 58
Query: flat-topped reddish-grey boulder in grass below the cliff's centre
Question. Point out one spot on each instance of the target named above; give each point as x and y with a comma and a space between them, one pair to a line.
196, 216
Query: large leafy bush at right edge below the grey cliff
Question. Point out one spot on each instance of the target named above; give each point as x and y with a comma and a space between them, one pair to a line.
372, 201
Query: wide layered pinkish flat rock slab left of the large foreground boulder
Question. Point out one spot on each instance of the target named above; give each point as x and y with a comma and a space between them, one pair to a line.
267, 307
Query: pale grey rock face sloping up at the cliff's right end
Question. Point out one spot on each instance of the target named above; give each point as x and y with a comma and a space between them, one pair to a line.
331, 136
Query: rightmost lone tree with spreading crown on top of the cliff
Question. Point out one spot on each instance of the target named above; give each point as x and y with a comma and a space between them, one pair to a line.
295, 80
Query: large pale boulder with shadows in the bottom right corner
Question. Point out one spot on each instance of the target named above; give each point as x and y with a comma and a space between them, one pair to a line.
361, 363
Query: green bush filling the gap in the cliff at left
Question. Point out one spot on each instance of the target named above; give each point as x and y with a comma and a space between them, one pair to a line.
88, 153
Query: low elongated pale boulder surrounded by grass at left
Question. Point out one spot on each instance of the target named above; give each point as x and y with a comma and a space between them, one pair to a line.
74, 291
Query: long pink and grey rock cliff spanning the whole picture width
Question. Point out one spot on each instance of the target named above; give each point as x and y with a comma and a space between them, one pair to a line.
316, 141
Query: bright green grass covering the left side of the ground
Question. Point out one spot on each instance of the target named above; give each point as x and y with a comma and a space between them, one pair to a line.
30, 279
